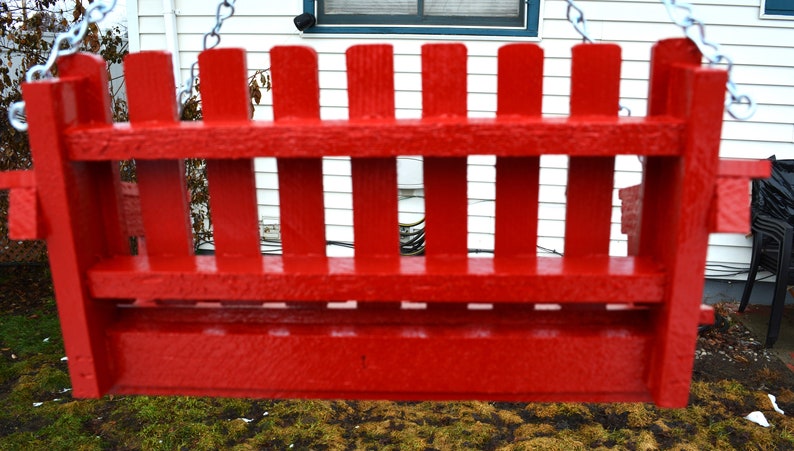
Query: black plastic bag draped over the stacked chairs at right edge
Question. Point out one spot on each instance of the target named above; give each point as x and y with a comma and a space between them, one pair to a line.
775, 196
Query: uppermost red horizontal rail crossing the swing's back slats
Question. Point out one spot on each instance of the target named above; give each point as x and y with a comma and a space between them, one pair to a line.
443, 137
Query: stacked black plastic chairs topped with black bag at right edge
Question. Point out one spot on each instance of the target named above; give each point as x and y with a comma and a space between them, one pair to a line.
773, 236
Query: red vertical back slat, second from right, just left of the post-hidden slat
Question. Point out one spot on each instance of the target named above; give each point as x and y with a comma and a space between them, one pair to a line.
595, 91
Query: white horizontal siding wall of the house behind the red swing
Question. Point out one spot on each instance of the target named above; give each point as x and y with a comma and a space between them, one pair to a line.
761, 50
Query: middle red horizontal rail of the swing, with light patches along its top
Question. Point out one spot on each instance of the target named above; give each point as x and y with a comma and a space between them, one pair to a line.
546, 279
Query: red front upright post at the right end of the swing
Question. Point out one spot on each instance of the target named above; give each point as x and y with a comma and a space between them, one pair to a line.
699, 98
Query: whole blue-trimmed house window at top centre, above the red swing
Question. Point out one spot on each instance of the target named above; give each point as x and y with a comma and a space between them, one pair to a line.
454, 17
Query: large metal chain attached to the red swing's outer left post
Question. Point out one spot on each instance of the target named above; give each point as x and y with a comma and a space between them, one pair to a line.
66, 43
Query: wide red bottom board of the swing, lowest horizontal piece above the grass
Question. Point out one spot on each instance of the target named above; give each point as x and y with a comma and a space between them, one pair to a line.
371, 354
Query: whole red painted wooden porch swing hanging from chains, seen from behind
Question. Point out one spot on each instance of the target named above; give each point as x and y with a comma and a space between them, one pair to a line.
167, 321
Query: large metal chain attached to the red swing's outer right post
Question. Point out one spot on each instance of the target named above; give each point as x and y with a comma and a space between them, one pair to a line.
740, 106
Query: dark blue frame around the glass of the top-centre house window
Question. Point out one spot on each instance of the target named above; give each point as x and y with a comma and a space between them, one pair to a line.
530, 26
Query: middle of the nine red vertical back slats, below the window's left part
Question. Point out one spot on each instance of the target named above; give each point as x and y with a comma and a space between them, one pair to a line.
370, 85
